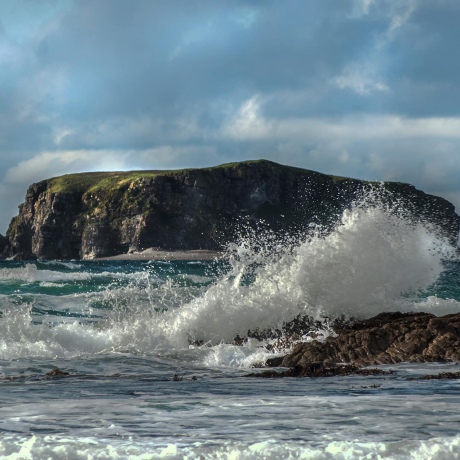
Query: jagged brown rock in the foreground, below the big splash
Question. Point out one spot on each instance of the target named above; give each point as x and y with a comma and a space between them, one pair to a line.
385, 339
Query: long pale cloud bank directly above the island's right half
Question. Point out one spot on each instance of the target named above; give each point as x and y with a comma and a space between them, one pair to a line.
421, 151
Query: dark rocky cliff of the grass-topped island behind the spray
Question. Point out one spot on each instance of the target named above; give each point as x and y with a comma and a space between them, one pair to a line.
103, 214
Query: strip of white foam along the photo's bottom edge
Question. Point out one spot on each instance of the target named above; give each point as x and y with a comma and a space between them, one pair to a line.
56, 447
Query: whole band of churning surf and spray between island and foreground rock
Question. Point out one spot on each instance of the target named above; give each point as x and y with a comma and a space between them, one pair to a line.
377, 258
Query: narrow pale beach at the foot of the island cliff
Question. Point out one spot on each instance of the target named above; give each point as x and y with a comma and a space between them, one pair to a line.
172, 254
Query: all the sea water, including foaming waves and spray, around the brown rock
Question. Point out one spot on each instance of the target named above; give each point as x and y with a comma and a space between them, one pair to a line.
153, 371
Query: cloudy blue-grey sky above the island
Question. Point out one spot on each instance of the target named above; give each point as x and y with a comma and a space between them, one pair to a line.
361, 88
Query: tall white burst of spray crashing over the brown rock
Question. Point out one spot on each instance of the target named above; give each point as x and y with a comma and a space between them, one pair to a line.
376, 255
